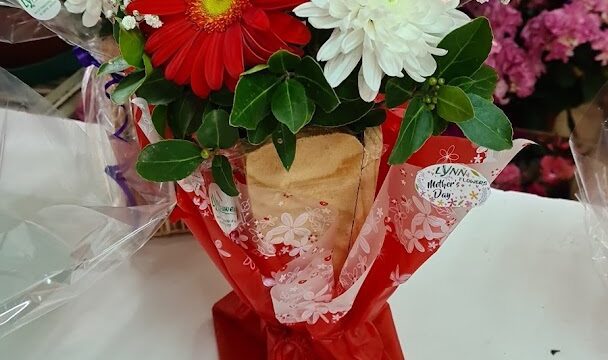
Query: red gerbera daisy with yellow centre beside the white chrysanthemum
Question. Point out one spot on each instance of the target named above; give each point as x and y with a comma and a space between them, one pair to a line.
208, 43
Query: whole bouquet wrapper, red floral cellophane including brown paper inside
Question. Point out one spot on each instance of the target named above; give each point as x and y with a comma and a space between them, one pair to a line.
297, 292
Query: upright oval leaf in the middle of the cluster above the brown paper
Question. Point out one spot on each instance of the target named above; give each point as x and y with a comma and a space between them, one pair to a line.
290, 105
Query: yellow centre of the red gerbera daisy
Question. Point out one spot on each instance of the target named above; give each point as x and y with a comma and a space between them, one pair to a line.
215, 15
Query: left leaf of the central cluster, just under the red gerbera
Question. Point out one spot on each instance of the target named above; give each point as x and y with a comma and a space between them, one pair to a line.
251, 99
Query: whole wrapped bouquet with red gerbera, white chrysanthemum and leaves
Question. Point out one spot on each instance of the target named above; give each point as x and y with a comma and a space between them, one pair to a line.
304, 138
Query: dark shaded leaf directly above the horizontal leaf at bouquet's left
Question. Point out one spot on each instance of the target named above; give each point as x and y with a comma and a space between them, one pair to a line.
186, 115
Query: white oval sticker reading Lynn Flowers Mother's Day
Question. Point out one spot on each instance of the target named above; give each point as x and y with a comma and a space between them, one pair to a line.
452, 185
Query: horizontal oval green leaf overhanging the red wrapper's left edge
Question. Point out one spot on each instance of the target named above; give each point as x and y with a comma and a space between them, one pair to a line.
168, 160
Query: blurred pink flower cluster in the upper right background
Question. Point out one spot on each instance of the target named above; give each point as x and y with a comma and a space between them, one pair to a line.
550, 55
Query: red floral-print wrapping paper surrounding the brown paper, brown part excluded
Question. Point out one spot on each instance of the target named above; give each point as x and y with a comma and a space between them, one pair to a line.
288, 309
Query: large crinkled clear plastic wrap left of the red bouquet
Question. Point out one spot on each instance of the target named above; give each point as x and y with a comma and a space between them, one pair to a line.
72, 205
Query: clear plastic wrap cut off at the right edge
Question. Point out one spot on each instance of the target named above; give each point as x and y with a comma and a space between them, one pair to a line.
589, 144
